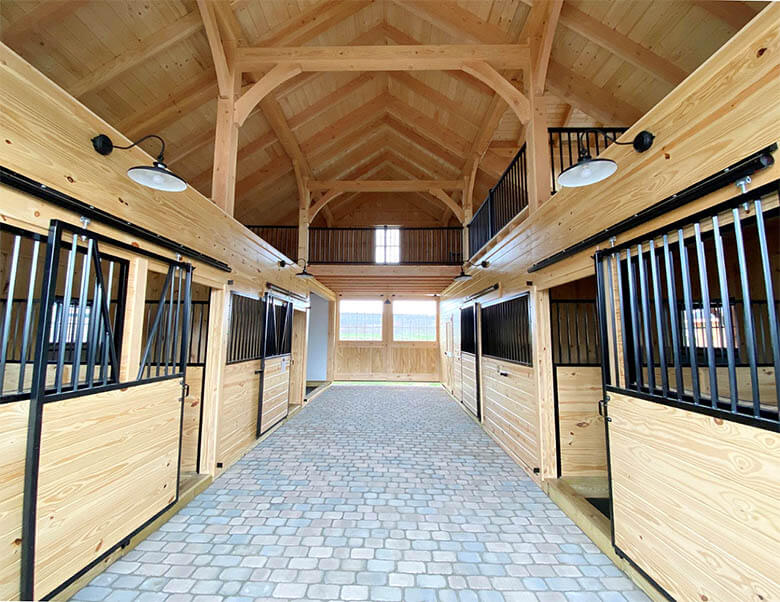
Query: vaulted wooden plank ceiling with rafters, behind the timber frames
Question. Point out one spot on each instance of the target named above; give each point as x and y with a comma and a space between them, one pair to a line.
146, 67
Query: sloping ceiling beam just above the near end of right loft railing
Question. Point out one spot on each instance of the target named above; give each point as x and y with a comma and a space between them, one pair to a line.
596, 102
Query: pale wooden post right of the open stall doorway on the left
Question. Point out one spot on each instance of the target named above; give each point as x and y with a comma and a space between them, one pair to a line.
216, 356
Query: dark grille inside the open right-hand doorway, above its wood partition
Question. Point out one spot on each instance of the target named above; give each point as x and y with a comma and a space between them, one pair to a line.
575, 332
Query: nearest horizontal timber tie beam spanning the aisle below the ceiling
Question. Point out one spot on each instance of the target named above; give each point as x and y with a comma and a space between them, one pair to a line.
384, 58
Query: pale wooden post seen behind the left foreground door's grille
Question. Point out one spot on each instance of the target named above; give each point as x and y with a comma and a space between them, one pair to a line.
132, 336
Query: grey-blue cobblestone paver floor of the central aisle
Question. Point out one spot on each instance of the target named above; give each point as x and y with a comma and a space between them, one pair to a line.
370, 493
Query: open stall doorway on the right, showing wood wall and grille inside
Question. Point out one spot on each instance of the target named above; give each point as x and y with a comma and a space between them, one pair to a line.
576, 352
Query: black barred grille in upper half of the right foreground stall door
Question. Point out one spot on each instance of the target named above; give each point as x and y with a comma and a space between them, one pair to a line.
690, 314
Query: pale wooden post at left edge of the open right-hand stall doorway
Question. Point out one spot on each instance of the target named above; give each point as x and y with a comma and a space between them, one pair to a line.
542, 344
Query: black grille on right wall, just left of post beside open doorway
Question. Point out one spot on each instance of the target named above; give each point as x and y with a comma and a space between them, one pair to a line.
506, 331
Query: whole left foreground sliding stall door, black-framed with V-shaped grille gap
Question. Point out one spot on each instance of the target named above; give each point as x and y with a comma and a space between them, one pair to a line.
106, 456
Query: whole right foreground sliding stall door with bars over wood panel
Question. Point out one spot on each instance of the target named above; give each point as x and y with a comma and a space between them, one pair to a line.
691, 345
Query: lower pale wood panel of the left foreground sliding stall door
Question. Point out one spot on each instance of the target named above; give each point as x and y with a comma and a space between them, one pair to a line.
95, 490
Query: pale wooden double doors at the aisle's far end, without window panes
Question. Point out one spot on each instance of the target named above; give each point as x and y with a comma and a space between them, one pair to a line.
387, 359
